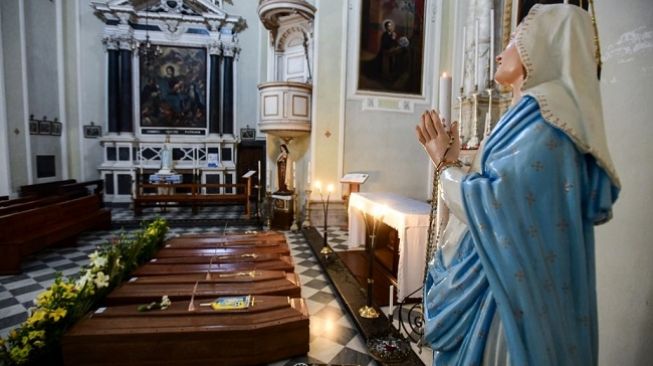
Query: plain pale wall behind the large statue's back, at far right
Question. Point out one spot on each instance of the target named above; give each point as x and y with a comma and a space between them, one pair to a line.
623, 246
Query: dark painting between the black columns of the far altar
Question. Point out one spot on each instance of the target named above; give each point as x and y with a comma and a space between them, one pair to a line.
173, 88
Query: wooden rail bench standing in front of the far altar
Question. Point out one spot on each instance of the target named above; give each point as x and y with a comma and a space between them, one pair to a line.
194, 194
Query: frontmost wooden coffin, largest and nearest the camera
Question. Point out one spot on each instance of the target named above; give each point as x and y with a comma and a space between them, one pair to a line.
274, 328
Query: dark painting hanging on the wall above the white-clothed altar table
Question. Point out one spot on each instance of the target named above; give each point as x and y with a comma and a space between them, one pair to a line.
391, 49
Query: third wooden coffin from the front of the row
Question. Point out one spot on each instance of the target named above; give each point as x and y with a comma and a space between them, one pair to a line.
280, 263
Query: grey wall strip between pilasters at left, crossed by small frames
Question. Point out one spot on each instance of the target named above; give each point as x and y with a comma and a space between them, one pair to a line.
42, 82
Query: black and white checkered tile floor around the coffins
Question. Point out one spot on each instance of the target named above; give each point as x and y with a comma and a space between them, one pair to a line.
333, 336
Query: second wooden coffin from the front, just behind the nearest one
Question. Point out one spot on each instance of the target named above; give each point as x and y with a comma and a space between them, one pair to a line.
143, 290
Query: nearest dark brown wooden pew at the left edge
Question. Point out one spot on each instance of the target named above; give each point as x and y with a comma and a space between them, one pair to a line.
28, 231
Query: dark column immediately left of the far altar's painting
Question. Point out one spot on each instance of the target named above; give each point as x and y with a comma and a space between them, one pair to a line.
126, 123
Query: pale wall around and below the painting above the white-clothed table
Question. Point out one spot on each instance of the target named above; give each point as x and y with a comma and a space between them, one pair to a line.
380, 139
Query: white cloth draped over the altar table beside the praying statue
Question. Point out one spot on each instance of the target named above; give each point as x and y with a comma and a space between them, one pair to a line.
411, 220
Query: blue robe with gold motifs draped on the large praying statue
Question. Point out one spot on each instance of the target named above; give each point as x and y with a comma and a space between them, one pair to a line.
528, 255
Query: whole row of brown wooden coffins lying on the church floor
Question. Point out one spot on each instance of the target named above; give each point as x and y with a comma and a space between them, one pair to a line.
235, 300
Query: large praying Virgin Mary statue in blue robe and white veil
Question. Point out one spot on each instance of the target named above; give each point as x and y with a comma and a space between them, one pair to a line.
512, 281
